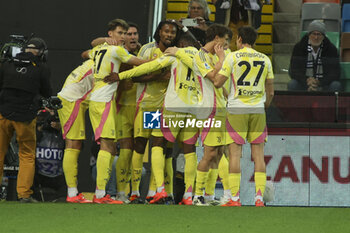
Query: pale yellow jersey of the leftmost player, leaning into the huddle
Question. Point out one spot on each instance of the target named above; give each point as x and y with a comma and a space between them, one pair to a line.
79, 82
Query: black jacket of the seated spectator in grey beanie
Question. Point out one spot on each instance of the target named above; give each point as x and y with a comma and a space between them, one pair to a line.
330, 62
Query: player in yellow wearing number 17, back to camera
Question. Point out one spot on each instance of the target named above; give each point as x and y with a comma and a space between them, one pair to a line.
102, 106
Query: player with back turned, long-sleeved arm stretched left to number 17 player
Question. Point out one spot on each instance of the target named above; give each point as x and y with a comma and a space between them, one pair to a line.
181, 97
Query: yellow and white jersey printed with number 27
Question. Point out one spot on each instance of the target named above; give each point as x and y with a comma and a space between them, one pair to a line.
247, 70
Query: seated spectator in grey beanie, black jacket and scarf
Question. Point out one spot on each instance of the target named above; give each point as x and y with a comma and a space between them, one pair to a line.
314, 64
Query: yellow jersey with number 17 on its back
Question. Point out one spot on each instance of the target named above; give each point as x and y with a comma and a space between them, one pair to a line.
107, 59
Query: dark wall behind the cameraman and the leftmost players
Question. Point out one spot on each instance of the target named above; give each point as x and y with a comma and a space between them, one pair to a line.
68, 27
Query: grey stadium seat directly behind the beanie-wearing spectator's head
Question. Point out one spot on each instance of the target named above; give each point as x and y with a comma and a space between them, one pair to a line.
330, 13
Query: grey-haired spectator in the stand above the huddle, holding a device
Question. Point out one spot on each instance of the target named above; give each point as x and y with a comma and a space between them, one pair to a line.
199, 10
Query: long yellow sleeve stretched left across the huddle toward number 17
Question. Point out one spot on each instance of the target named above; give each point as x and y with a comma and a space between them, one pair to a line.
148, 67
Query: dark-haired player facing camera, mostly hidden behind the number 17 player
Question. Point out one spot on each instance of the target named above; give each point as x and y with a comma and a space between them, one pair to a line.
126, 107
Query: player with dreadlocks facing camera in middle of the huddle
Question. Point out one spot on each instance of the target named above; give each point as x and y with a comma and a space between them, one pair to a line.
150, 97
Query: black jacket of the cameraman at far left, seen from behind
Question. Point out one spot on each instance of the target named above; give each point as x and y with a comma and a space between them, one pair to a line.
21, 85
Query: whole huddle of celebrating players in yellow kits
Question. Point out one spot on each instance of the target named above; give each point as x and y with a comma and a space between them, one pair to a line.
205, 92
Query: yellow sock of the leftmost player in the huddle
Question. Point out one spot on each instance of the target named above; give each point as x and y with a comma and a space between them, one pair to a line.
70, 166
